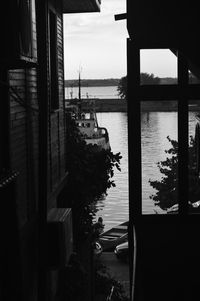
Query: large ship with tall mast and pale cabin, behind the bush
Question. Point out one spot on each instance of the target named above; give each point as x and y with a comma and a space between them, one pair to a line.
84, 113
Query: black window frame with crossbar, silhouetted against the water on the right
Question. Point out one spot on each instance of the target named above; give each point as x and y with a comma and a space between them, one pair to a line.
182, 92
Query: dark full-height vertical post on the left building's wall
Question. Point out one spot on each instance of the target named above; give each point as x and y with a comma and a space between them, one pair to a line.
42, 38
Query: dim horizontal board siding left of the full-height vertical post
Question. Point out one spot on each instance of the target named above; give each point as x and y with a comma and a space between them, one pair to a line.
24, 139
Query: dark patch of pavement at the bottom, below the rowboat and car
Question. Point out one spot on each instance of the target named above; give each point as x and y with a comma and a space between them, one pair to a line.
118, 269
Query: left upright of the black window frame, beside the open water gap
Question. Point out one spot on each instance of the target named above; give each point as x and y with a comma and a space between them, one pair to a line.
134, 130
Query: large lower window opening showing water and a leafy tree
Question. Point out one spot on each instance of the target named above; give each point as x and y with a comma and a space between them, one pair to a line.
159, 134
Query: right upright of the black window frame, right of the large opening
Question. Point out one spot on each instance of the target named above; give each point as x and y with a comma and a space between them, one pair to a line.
183, 136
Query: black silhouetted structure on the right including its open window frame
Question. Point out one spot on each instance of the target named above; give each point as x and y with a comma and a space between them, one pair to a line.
164, 248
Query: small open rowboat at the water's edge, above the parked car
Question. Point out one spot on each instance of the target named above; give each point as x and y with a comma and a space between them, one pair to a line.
114, 236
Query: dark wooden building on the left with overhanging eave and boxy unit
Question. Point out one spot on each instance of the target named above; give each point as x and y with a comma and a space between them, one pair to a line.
32, 148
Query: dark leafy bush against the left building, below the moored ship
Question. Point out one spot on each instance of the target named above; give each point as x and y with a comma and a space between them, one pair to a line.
90, 175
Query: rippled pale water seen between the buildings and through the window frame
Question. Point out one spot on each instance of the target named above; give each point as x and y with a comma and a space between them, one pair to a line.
155, 127
